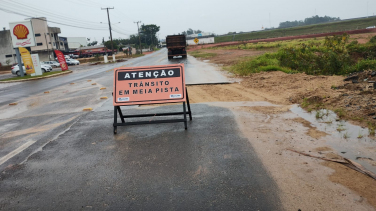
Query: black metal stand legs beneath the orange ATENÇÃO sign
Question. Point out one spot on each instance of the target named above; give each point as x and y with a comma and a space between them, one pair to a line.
123, 123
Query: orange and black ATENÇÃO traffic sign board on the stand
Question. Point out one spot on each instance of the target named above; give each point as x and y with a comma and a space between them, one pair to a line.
149, 85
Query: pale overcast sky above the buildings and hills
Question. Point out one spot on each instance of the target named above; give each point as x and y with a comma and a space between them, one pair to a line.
218, 16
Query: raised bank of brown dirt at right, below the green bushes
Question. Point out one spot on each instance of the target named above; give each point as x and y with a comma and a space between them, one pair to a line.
355, 99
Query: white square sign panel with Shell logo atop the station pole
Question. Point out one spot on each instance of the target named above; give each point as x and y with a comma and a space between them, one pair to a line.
22, 34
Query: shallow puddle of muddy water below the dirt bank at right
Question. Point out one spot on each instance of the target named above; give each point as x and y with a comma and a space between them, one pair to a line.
350, 141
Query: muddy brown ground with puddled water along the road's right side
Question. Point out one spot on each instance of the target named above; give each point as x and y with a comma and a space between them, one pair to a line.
353, 100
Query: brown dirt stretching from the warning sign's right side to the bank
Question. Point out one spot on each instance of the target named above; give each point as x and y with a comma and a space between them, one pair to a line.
352, 101
